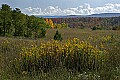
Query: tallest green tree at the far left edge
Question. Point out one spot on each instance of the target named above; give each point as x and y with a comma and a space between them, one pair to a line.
6, 20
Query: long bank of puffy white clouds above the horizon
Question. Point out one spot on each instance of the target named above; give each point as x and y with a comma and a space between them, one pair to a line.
84, 9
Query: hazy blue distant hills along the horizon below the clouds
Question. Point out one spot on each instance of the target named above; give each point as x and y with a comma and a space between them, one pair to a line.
77, 16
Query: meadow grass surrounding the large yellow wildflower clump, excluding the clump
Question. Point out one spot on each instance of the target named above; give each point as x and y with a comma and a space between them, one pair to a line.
108, 40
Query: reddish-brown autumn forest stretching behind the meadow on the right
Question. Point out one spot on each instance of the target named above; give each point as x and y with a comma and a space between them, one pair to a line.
101, 23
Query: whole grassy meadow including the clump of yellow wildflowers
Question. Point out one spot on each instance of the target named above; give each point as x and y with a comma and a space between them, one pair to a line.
104, 43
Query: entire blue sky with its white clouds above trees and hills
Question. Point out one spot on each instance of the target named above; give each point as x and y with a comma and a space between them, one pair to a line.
64, 7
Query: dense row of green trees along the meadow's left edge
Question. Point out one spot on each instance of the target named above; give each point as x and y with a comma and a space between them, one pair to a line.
14, 23
